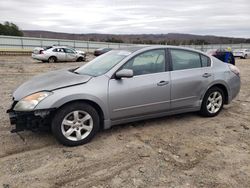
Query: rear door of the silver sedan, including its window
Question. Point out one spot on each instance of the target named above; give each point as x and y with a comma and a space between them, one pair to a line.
190, 76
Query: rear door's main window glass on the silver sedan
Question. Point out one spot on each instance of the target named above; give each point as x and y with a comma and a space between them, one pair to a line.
183, 59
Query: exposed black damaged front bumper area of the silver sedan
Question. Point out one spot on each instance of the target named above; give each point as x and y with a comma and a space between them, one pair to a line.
33, 120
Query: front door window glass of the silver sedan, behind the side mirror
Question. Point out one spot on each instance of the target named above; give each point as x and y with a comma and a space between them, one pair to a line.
147, 63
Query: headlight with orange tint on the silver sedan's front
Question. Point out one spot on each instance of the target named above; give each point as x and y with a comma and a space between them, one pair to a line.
29, 103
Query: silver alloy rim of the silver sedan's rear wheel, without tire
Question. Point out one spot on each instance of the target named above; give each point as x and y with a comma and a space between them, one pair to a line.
214, 102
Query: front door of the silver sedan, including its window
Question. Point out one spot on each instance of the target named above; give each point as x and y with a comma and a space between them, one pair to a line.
147, 92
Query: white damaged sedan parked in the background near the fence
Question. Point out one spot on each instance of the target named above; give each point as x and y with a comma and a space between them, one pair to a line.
58, 53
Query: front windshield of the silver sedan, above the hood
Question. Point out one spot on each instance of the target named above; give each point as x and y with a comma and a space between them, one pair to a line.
103, 63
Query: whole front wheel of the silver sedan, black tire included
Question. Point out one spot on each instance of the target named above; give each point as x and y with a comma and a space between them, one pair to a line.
75, 124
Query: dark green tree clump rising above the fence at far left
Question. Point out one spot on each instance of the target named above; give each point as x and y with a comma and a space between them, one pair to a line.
11, 29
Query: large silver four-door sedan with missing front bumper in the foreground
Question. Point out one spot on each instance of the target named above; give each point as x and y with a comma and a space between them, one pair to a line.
123, 86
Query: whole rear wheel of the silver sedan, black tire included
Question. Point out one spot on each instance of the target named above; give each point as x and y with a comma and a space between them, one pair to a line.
213, 102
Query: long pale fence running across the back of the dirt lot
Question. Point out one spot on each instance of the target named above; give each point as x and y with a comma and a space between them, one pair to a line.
11, 43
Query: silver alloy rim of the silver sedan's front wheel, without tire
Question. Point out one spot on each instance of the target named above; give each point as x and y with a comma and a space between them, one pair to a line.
77, 125
